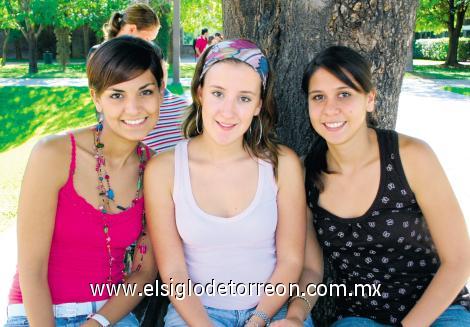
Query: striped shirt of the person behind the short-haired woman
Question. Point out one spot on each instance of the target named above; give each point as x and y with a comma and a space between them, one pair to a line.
168, 132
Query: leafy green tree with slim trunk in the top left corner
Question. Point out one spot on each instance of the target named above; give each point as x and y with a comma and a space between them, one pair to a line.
31, 16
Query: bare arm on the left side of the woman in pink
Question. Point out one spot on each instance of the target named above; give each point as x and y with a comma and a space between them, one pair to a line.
46, 172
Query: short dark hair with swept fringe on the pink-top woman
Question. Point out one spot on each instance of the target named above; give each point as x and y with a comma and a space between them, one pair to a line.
122, 59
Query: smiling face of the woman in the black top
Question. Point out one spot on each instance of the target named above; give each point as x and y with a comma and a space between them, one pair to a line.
336, 110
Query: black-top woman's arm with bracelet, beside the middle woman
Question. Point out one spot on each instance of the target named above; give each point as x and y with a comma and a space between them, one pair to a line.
311, 274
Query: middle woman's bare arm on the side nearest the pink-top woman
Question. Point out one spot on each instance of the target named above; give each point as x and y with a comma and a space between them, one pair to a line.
165, 239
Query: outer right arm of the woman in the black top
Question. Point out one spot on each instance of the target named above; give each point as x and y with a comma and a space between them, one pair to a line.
447, 227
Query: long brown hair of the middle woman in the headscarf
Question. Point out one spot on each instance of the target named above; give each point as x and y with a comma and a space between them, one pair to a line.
267, 148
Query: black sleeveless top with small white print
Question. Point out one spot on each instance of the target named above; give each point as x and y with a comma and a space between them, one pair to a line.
389, 245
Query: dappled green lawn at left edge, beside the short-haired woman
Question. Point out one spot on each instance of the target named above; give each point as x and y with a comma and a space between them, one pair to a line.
31, 111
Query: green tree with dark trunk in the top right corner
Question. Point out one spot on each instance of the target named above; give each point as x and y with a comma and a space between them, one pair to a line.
440, 15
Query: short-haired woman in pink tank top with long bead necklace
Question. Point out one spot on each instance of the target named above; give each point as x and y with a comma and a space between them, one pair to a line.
81, 202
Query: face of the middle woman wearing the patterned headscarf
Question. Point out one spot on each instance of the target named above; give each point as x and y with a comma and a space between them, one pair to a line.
230, 98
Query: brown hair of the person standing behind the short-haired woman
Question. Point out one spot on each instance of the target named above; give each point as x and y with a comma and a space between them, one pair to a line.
138, 14
